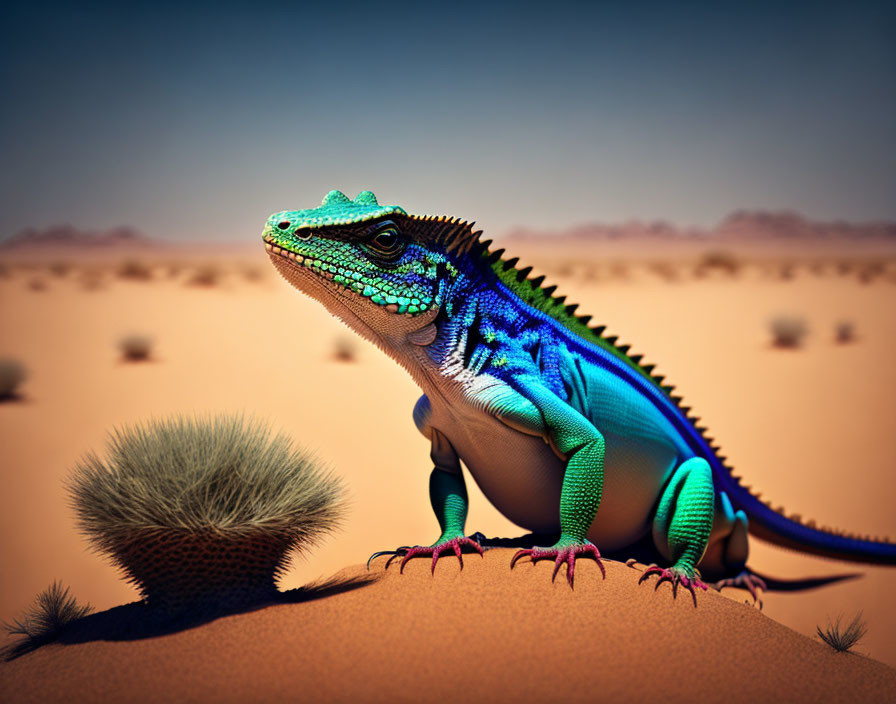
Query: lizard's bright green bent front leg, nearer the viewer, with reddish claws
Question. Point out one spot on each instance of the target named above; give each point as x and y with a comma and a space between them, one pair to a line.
574, 437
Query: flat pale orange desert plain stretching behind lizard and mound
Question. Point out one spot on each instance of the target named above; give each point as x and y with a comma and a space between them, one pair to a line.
811, 428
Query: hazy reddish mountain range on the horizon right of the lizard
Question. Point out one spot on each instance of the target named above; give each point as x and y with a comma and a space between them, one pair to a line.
739, 225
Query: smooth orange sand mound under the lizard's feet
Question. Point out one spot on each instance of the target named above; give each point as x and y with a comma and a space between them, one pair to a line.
484, 634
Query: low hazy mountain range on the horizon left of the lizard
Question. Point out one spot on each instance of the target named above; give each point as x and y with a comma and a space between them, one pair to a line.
69, 237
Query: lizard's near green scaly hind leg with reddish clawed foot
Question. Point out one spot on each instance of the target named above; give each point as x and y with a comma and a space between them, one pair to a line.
682, 526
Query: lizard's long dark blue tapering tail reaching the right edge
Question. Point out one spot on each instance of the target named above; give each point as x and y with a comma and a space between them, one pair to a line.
774, 526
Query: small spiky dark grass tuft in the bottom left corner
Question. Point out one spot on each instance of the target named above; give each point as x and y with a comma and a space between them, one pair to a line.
53, 609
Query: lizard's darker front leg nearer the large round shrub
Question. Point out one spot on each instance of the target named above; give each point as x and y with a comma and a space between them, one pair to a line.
448, 496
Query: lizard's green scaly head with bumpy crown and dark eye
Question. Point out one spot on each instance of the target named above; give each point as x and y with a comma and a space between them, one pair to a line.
380, 270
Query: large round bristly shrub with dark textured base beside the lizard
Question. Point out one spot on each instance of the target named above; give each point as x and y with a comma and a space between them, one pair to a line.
203, 513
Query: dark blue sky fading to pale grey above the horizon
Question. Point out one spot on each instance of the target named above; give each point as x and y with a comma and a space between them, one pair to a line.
200, 122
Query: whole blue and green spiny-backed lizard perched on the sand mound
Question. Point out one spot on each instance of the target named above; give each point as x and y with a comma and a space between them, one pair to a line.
565, 431
